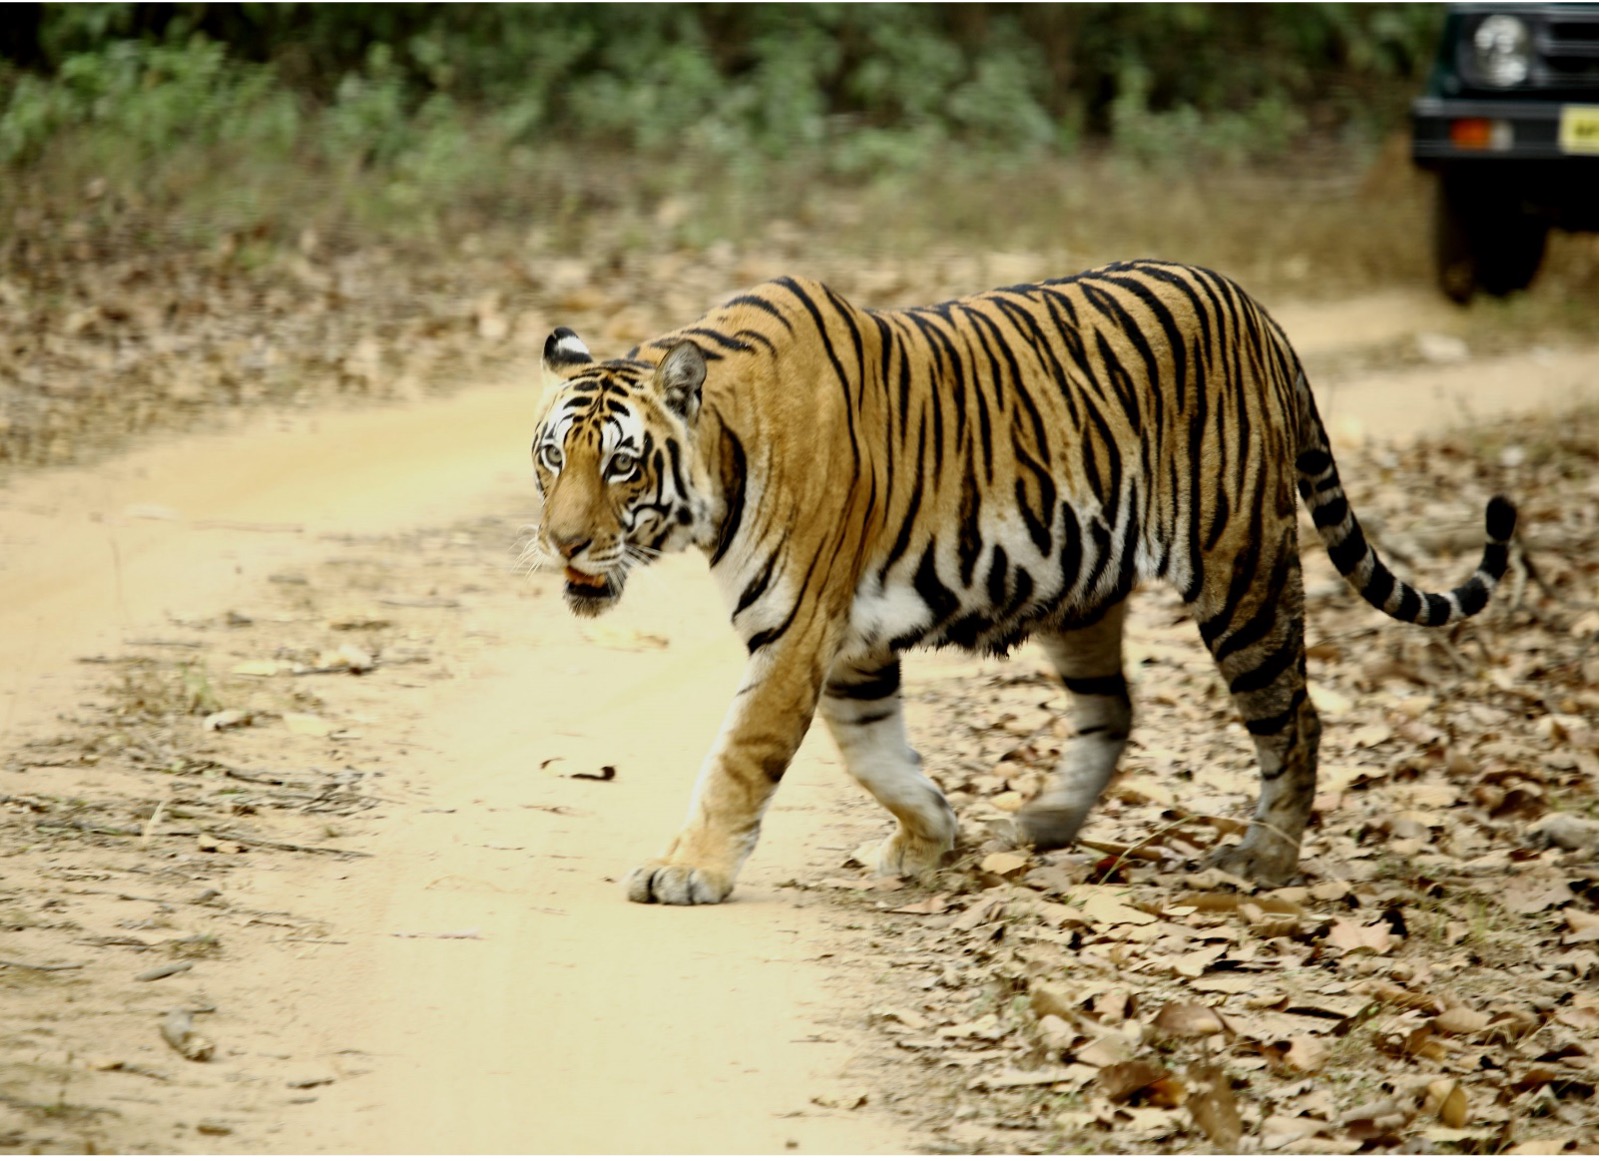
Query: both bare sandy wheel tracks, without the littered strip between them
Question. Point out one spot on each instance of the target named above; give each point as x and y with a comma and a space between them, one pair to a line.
573, 1022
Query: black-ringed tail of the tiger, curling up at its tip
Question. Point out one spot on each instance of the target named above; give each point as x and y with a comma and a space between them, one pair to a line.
1359, 564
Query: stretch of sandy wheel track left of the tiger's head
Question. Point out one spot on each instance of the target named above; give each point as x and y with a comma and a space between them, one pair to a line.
87, 556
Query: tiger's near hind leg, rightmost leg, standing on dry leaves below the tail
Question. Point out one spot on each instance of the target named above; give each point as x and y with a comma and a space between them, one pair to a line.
1257, 636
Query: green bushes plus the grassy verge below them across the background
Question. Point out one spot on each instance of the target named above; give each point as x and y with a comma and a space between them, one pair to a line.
413, 113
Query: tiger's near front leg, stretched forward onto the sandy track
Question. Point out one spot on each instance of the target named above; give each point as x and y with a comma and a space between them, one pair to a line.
761, 734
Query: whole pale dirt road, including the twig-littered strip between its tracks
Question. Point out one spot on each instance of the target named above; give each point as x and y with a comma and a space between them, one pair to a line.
477, 982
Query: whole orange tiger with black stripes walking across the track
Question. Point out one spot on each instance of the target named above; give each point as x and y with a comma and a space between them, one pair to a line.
971, 474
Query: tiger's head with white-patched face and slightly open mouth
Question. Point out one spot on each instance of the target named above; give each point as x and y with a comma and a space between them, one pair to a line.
617, 467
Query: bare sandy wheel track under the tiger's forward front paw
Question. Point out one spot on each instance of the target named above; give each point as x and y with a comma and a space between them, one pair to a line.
578, 1022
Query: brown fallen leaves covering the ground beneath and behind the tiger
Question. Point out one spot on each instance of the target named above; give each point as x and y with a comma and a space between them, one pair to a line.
1428, 985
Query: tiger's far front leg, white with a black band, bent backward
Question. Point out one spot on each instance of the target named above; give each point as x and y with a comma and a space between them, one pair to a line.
862, 706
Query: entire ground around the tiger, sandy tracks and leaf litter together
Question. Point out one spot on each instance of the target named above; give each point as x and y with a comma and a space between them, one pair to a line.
314, 809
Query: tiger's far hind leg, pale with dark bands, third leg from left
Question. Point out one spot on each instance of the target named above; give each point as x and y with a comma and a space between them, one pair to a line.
1090, 665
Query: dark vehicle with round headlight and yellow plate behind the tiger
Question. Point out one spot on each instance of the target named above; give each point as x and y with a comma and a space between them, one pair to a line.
1510, 127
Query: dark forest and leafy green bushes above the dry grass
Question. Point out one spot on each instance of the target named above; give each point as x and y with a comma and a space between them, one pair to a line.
861, 87
